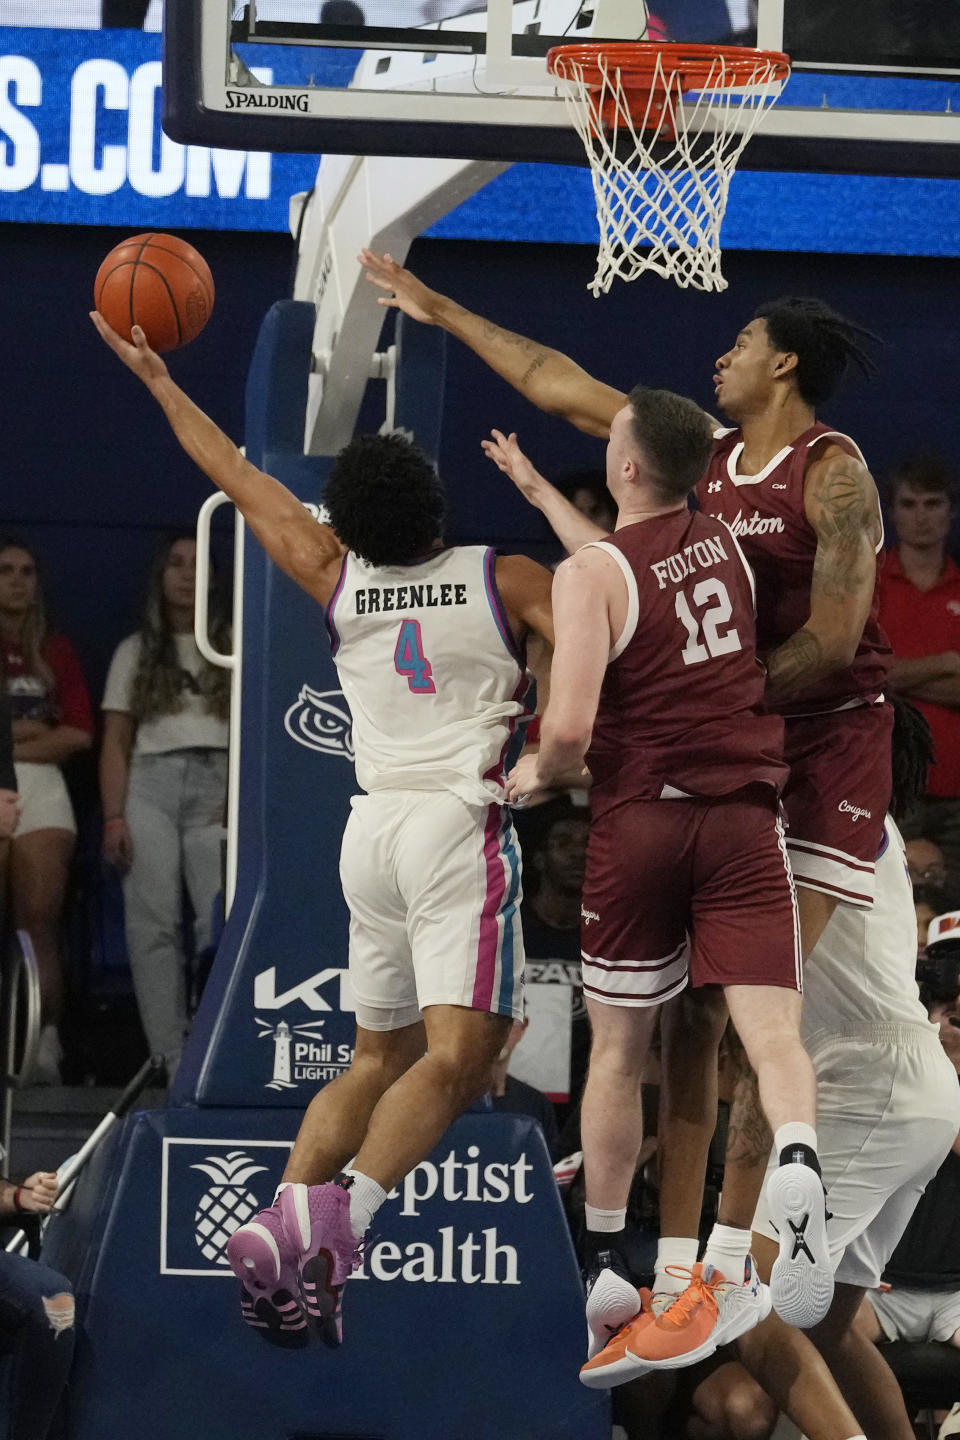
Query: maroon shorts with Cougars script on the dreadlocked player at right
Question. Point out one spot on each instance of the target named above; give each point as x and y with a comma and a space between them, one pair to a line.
837, 798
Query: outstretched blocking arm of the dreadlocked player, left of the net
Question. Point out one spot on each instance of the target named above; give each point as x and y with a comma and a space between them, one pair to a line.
549, 379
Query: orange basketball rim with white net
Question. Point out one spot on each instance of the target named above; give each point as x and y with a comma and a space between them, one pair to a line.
664, 127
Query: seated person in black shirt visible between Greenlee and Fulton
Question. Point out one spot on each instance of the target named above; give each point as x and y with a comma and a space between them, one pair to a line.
555, 1055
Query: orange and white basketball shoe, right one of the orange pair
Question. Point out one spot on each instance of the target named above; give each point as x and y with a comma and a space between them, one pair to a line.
712, 1311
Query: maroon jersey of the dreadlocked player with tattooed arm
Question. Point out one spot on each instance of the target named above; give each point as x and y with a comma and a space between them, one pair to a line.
766, 515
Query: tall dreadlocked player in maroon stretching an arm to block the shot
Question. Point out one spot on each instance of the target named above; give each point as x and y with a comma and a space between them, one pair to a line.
807, 512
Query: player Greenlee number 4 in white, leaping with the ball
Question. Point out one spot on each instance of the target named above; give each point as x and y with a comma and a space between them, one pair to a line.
430, 859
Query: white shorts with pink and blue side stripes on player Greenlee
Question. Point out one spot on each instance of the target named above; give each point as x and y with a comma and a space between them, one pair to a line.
434, 894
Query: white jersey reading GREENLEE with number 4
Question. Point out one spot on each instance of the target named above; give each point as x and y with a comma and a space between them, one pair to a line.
431, 673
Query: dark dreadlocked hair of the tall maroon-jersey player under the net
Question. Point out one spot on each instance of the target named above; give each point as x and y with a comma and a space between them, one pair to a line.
824, 342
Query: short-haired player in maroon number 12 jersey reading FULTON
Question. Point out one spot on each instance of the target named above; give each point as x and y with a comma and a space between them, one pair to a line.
656, 683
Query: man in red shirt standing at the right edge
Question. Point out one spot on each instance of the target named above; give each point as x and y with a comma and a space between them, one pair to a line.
920, 613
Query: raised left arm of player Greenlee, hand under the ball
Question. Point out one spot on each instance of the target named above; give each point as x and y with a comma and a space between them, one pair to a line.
306, 551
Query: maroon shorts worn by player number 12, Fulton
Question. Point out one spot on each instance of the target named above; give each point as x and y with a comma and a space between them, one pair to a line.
699, 886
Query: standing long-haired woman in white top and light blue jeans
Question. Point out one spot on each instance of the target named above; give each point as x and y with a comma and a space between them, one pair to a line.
163, 788
